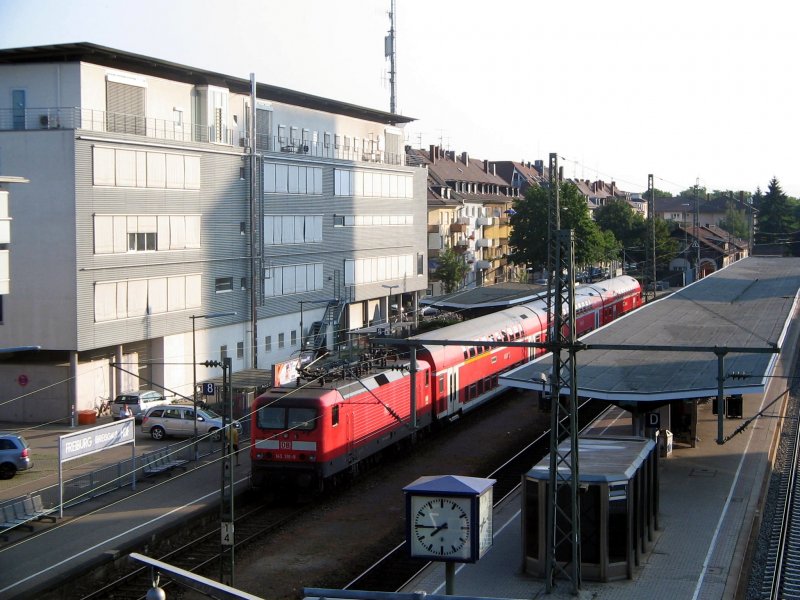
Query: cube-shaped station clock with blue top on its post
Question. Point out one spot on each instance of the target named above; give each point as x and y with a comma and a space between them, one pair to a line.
449, 519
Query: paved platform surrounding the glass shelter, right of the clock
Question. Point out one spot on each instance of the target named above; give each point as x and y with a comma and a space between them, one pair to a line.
710, 501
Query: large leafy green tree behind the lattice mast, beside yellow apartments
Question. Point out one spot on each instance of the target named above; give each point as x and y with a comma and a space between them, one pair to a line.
530, 224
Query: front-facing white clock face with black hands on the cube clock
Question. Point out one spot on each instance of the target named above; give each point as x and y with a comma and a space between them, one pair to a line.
440, 527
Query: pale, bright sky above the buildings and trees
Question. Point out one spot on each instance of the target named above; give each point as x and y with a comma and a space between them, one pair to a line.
700, 91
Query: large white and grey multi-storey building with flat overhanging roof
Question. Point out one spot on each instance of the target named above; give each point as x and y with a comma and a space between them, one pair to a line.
160, 192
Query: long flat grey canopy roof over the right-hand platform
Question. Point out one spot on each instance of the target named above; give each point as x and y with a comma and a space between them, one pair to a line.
749, 304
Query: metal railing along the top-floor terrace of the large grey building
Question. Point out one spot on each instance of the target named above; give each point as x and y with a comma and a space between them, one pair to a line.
161, 129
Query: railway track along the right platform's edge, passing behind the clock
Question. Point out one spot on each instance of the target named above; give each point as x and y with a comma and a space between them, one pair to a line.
395, 569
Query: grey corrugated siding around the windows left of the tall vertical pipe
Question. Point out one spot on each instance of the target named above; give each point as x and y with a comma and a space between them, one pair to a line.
222, 200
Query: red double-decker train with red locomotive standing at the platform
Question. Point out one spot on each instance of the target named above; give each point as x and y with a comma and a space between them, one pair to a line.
315, 433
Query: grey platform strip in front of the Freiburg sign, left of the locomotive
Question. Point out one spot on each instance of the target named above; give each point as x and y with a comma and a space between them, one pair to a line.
108, 526
